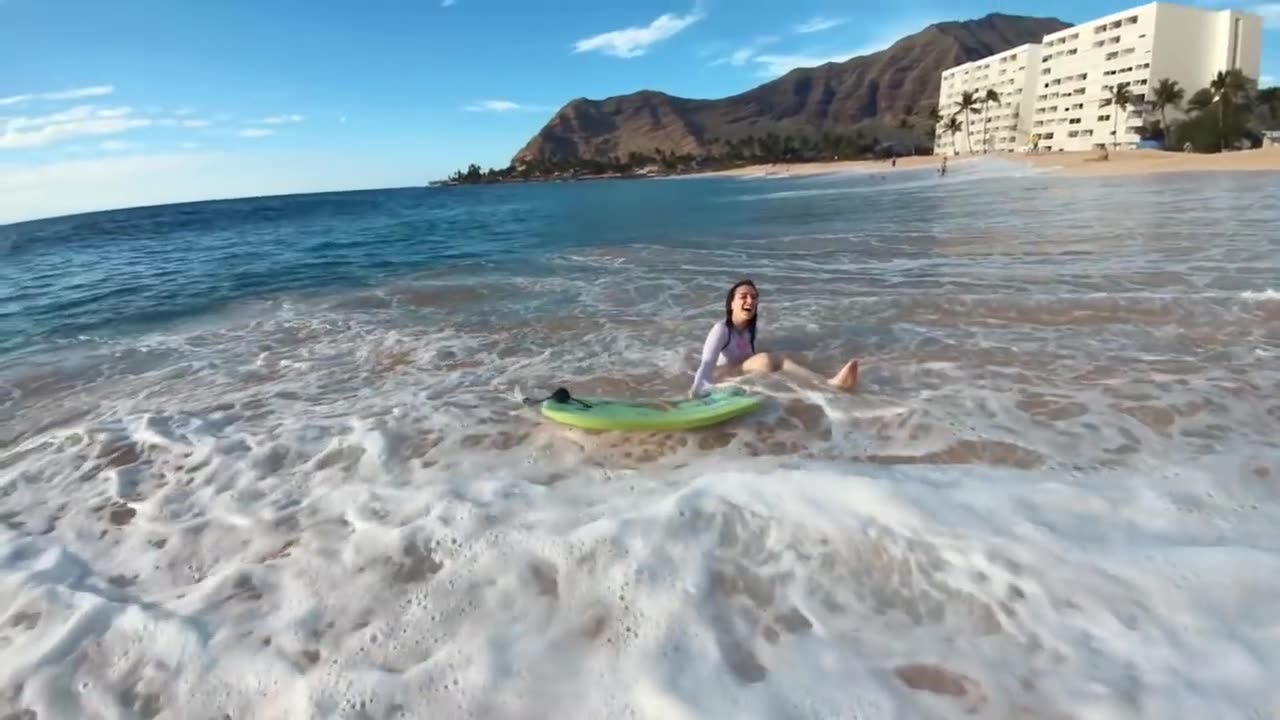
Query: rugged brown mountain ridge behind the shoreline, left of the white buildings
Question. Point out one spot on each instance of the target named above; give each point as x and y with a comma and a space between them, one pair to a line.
861, 94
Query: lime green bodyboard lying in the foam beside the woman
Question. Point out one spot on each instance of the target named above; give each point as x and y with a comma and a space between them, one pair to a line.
609, 414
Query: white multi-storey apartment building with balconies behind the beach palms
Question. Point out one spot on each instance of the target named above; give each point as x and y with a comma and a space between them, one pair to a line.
1071, 86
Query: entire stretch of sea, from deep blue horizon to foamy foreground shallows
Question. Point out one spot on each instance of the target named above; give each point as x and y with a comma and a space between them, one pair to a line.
268, 458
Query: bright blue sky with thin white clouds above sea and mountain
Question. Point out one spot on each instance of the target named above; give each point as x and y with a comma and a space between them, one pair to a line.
144, 102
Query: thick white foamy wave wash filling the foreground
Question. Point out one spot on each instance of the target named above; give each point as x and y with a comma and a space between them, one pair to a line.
723, 590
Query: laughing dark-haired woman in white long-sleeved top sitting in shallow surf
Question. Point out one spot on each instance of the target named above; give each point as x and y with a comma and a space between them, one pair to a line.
732, 347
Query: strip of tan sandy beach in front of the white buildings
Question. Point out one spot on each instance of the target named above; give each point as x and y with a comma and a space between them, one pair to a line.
1077, 165
